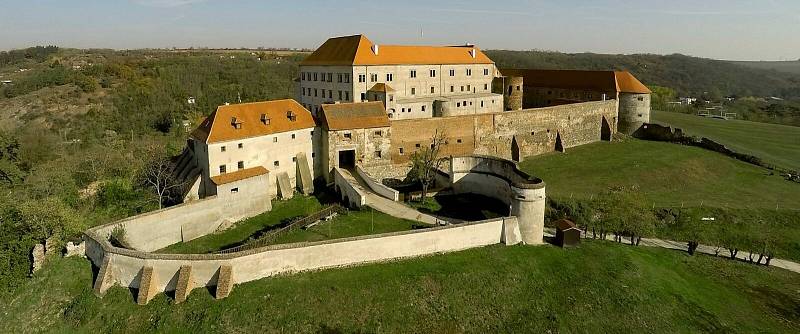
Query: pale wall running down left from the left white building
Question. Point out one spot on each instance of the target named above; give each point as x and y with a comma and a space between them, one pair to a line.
158, 229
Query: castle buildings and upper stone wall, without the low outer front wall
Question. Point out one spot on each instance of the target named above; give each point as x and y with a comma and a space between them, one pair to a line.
362, 103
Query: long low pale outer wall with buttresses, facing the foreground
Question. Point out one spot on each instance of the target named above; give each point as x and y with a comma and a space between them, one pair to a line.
124, 267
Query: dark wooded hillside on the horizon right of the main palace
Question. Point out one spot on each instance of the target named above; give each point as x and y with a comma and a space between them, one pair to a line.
687, 75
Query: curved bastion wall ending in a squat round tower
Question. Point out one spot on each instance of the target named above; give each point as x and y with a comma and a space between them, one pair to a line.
501, 179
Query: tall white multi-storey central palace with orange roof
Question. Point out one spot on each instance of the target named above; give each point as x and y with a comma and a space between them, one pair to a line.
413, 81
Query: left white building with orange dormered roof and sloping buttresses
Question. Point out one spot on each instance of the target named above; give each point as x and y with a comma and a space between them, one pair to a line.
239, 142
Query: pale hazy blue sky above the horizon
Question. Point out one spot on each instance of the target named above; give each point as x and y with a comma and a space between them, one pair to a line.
719, 29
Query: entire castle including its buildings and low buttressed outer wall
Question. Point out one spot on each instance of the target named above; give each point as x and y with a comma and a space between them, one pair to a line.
363, 109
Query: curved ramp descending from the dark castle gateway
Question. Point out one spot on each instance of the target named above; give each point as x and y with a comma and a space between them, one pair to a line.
383, 204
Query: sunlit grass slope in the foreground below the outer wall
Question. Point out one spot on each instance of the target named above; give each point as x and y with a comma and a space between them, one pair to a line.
597, 287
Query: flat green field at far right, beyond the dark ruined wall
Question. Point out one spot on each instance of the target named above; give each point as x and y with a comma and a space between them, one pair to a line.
773, 143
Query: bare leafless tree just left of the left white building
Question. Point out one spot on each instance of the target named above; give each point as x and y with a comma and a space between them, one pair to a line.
158, 173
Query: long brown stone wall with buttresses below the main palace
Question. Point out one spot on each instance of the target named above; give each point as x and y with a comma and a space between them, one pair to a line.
535, 131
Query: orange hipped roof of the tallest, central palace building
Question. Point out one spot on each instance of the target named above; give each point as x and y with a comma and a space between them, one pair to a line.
357, 50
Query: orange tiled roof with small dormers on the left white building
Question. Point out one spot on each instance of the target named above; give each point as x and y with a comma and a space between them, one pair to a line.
218, 127
